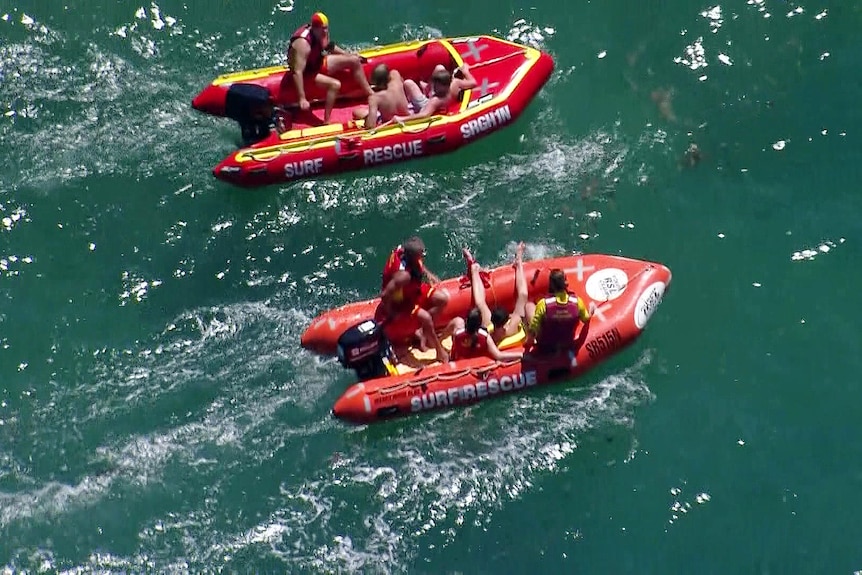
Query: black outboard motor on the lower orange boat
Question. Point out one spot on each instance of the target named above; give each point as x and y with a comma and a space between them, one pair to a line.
365, 349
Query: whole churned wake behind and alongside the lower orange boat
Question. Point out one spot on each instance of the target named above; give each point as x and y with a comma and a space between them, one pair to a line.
370, 504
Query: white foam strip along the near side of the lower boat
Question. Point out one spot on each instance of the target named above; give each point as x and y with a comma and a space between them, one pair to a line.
429, 475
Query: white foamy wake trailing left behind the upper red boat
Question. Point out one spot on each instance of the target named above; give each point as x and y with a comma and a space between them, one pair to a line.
103, 134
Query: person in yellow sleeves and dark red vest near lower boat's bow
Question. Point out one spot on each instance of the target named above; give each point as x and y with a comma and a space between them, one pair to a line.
555, 318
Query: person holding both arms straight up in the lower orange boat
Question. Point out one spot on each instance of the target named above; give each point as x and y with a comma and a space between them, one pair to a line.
500, 323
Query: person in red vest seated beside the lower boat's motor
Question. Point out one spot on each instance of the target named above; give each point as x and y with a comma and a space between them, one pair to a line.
408, 294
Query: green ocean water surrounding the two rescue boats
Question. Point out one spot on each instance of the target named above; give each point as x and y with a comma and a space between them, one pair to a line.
158, 415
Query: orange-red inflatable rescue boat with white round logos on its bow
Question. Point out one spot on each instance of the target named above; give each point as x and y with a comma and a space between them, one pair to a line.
625, 291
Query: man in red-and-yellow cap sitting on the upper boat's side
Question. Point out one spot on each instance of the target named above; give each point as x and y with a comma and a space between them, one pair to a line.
308, 63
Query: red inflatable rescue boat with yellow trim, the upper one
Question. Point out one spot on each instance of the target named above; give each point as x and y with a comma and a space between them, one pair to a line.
509, 76
